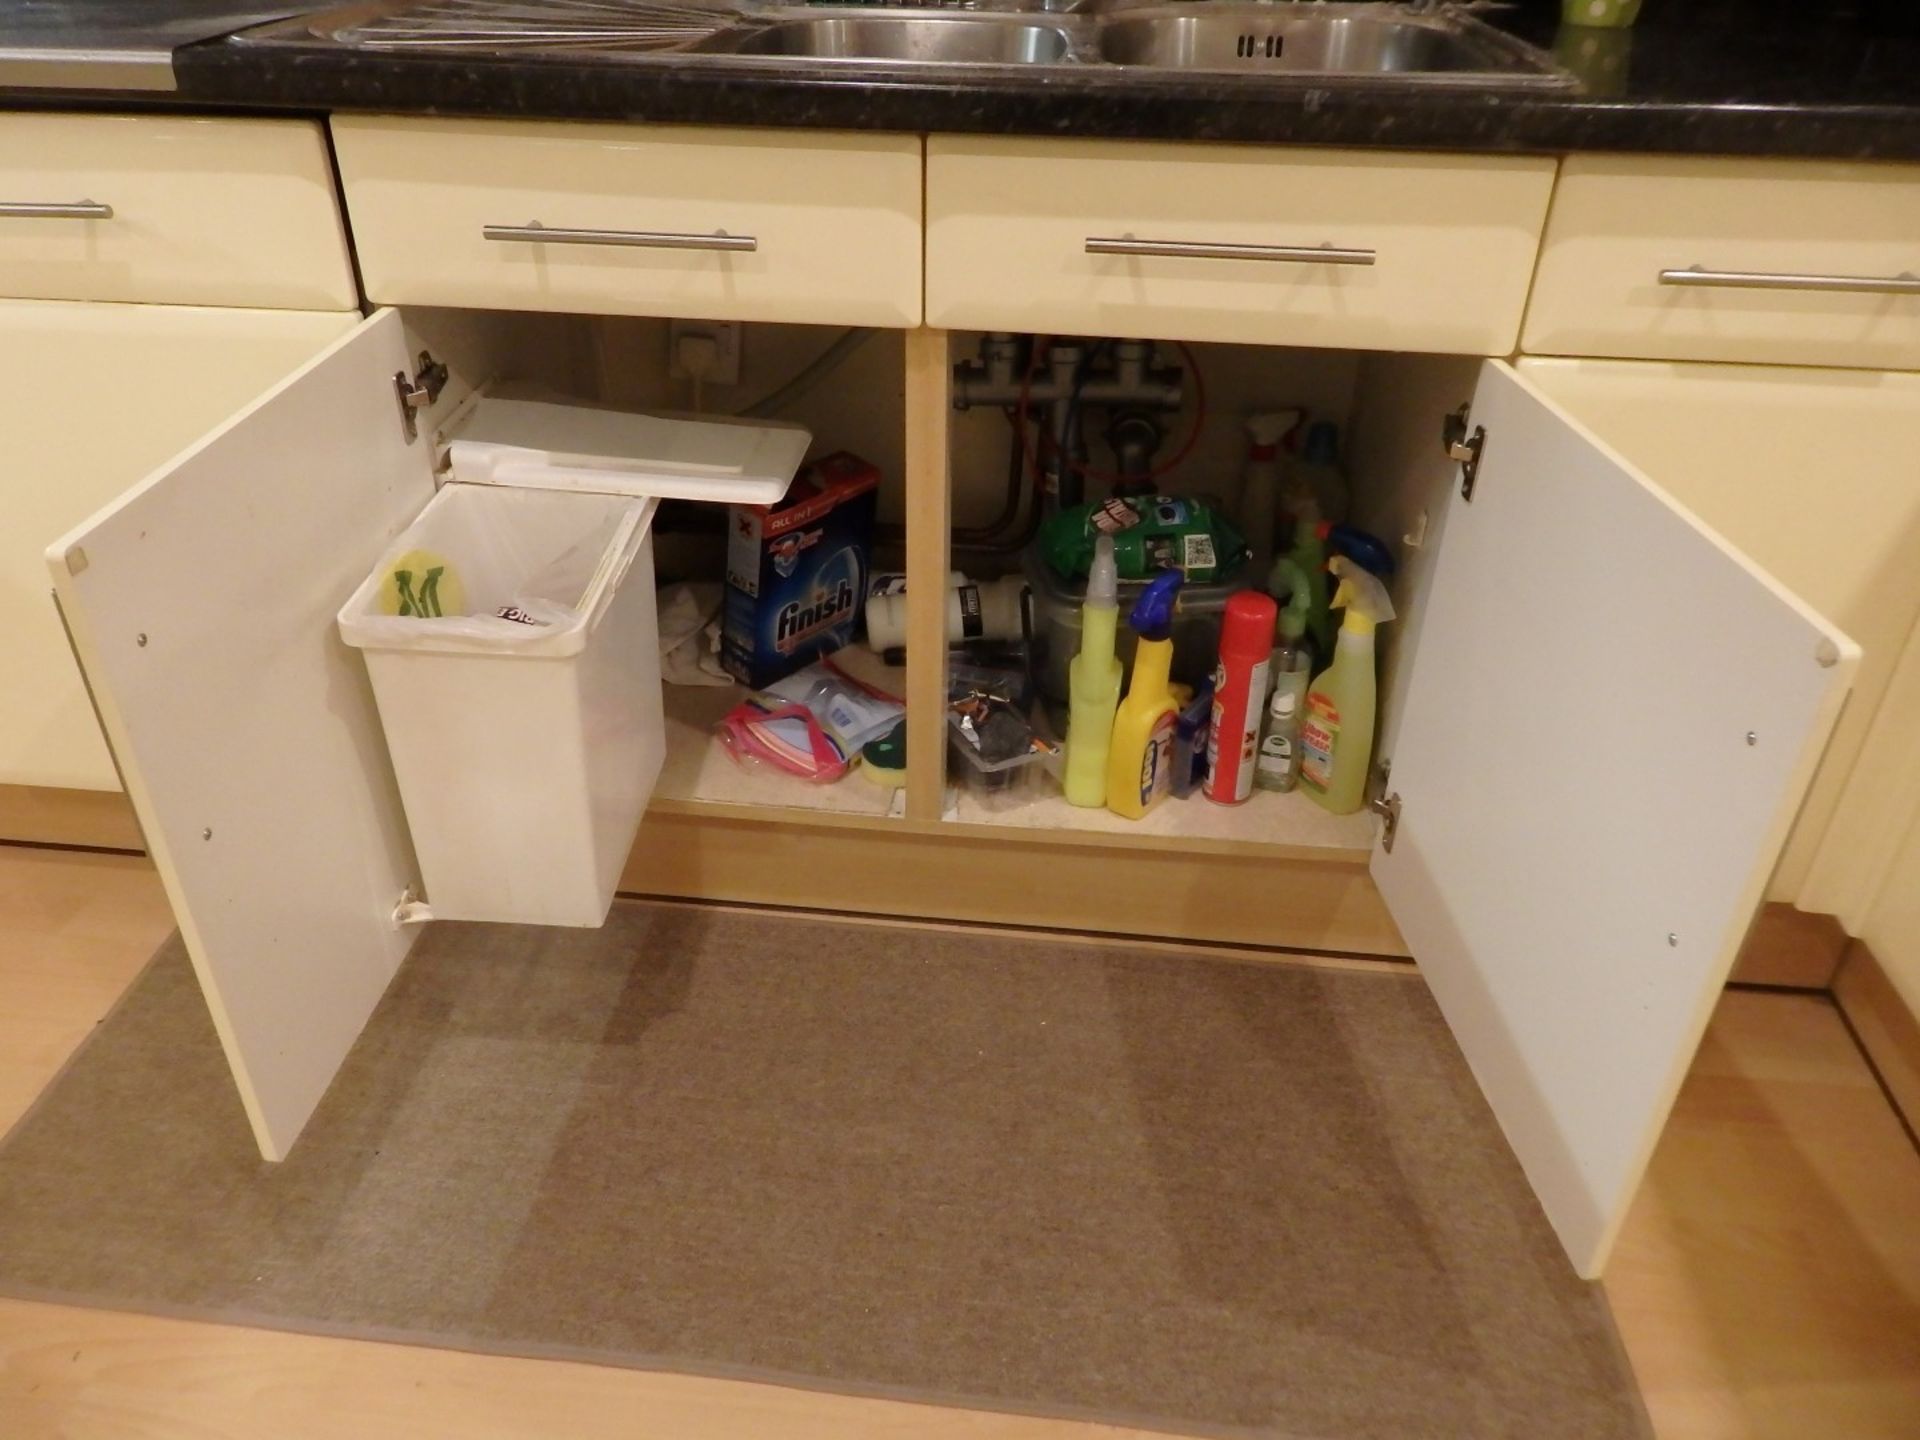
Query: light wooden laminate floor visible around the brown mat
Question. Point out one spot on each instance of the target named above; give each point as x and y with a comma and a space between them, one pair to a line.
1767, 1285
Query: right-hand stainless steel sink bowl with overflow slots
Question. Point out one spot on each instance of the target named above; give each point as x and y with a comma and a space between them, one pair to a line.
1308, 39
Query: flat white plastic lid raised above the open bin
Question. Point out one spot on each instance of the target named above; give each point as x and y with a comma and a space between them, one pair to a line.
539, 444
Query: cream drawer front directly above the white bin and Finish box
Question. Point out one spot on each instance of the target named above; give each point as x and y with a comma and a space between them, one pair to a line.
746, 226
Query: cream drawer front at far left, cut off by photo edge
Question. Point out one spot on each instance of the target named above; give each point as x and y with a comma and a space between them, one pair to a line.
172, 212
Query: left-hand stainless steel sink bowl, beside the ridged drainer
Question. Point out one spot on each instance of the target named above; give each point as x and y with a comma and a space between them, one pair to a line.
913, 39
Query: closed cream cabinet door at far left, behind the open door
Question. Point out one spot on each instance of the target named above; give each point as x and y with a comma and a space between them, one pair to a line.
93, 396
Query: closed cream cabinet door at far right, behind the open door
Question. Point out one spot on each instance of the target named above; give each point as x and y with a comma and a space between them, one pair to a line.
1815, 475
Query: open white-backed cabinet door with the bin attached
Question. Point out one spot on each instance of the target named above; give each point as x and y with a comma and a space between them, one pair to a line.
203, 612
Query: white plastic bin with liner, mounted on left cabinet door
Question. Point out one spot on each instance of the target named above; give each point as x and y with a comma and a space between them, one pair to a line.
525, 756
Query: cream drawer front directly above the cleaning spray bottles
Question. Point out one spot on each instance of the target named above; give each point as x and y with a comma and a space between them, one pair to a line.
1226, 243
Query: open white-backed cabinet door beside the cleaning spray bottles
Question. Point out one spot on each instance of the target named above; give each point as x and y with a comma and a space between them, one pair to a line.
1608, 725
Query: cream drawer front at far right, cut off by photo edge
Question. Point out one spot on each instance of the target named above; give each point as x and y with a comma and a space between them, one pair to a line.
1731, 260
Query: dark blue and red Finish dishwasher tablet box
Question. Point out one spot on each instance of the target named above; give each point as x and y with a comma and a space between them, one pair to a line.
796, 573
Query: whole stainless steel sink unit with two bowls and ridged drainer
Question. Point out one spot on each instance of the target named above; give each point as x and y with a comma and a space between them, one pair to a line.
1316, 41
